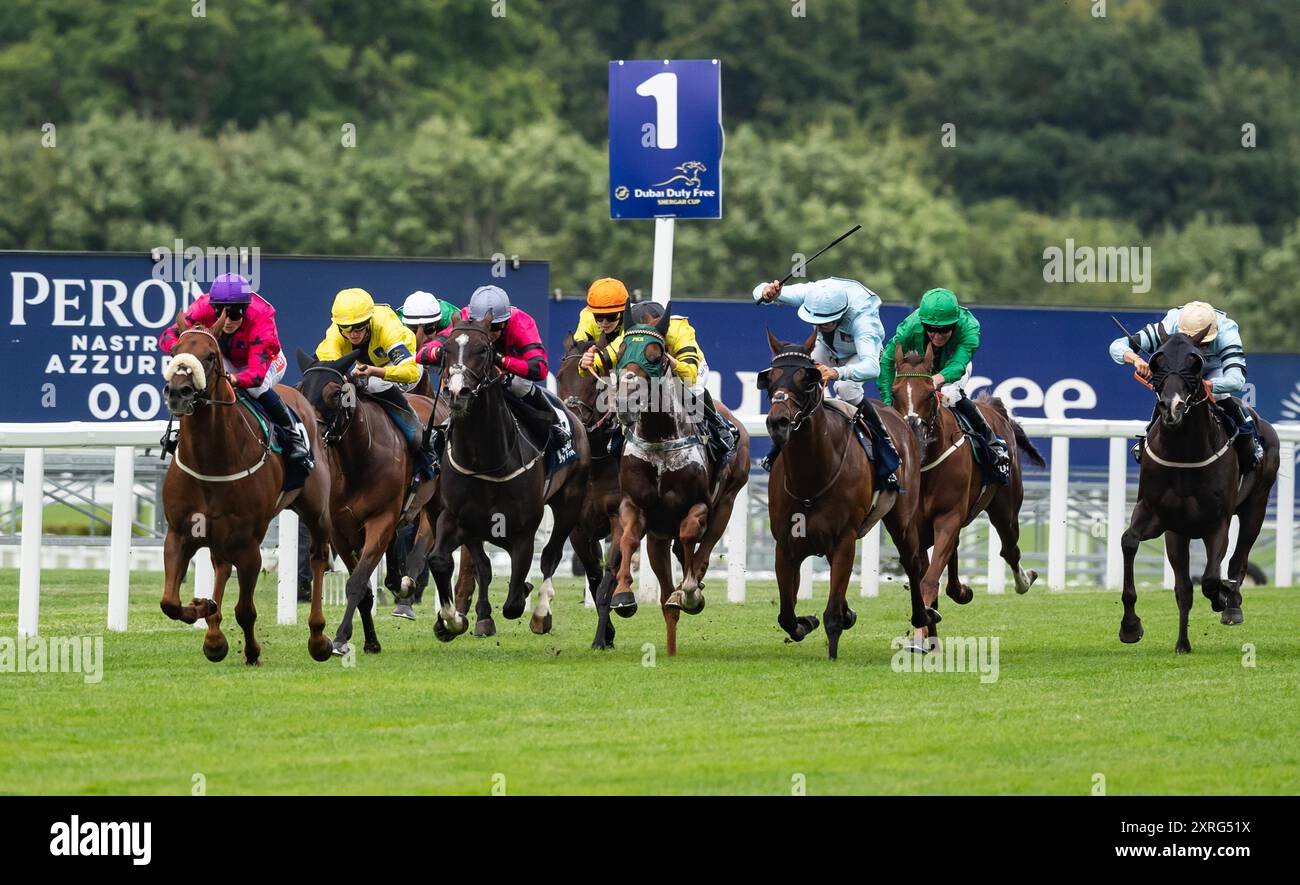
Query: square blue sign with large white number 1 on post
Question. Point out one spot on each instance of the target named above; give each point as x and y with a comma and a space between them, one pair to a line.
666, 140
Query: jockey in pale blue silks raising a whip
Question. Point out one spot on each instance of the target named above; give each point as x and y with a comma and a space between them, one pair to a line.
848, 350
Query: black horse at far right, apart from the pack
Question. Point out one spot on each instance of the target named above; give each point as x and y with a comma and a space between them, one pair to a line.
1190, 485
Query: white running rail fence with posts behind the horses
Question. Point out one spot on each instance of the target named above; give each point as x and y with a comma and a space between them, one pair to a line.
127, 437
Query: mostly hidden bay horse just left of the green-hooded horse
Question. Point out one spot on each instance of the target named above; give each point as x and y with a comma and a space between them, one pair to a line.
600, 518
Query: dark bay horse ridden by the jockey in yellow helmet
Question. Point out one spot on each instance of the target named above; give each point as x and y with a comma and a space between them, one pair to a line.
371, 468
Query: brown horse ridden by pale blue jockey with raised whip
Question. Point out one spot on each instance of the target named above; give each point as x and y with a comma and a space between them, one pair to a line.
824, 496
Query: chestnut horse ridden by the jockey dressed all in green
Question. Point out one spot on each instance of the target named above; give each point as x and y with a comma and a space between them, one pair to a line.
954, 492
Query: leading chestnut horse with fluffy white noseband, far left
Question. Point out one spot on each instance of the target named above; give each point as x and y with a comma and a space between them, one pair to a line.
224, 488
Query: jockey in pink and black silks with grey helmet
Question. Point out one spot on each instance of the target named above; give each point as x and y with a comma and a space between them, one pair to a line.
519, 354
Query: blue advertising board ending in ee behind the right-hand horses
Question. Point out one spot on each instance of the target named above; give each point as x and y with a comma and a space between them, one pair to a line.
1042, 362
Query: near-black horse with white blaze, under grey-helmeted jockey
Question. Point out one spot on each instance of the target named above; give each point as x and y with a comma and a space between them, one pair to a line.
493, 487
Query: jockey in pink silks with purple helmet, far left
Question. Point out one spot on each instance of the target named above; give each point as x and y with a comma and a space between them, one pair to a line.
245, 327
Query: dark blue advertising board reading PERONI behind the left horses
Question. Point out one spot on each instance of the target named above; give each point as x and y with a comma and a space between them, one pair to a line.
80, 336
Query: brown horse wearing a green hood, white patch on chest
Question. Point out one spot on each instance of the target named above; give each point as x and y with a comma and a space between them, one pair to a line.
673, 496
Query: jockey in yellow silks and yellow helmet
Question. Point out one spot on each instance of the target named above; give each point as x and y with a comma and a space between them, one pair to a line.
387, 368
